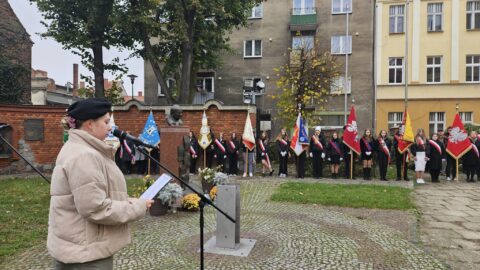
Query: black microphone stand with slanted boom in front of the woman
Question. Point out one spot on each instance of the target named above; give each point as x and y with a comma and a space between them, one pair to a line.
203, 201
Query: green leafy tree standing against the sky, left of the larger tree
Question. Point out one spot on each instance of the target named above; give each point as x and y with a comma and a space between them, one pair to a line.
86, 27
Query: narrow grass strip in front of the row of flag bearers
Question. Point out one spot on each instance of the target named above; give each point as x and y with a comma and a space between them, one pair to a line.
355, 196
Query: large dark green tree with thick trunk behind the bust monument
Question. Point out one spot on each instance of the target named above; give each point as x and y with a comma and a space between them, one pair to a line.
187, 35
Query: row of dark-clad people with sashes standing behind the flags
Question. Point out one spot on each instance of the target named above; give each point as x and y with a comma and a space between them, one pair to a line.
427, 154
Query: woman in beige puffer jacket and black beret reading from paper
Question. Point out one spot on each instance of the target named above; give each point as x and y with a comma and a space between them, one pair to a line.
89, 206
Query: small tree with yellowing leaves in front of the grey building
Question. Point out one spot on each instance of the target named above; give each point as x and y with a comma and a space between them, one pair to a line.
304, 82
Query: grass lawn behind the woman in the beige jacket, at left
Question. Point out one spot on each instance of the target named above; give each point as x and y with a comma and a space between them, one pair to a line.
24, 205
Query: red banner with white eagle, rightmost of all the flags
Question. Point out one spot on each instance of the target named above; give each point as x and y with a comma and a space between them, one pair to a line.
458, 142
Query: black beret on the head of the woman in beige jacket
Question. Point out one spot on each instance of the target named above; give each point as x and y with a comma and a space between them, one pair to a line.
91, 108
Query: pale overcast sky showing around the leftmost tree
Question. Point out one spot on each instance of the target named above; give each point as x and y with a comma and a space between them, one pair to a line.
48, 55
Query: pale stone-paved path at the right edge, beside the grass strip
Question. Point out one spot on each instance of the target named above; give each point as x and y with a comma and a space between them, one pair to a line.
450, 224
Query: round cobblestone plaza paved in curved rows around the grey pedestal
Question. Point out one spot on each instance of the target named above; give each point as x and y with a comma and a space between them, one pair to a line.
289, 236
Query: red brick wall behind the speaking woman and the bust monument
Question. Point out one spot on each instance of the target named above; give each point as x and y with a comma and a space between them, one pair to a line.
45, 152
